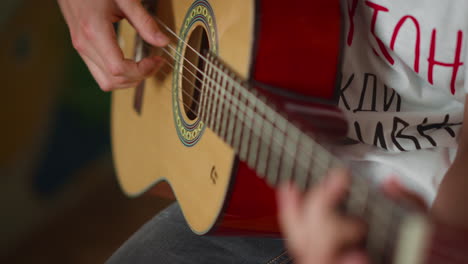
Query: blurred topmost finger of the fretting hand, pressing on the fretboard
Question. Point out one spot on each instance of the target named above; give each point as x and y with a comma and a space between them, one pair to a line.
334, 187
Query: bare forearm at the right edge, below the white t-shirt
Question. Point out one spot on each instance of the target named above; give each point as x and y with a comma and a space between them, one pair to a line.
451, 203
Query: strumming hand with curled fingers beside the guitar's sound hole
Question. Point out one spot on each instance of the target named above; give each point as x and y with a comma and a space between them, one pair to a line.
93, 36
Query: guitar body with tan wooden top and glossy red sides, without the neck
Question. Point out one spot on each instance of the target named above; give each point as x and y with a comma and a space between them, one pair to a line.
288, 50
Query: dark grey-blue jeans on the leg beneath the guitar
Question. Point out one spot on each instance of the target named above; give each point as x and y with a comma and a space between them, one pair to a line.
167, 239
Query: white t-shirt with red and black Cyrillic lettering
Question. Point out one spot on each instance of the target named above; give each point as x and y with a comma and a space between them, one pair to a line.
402, 87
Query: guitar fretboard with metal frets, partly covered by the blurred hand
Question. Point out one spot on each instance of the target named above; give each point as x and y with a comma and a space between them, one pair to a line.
278, 150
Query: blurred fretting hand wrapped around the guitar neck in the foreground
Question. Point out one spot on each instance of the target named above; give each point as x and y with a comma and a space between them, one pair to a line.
316, 232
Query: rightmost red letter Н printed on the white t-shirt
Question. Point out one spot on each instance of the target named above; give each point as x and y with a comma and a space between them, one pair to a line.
455, 65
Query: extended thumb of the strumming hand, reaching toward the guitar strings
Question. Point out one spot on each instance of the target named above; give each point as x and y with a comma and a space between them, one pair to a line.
143, 22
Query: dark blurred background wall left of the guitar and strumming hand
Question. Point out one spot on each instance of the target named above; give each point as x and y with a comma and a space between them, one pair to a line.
59, 200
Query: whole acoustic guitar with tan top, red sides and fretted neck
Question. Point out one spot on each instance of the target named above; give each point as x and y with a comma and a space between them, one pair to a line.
247, 100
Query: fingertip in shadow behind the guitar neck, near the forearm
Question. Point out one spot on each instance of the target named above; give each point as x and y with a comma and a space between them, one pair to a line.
393, 188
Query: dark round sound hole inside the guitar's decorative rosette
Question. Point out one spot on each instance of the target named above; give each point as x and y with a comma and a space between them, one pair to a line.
193, 71
